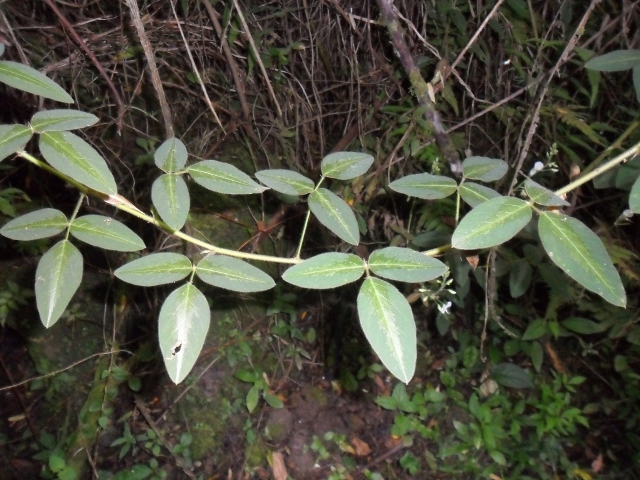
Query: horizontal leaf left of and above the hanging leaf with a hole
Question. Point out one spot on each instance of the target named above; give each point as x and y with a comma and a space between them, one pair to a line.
155, 269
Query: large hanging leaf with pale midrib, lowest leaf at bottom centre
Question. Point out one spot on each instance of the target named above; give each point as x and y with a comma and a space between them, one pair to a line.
387, 322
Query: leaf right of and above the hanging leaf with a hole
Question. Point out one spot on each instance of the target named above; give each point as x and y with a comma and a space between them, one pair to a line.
233, 274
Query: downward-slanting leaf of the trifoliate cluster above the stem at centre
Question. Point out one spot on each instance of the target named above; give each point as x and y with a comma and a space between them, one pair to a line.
335, 214
